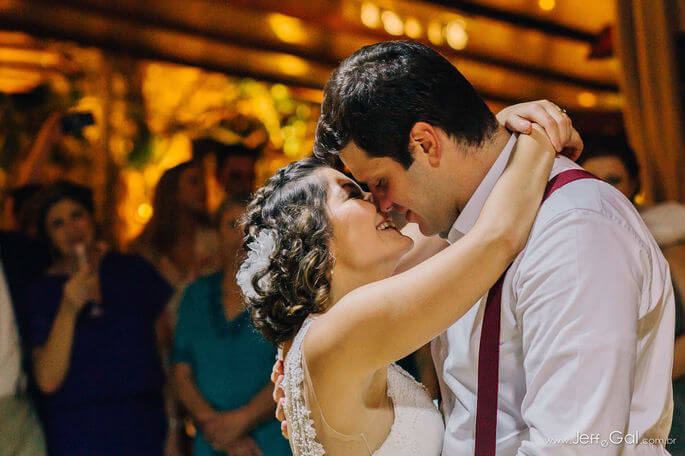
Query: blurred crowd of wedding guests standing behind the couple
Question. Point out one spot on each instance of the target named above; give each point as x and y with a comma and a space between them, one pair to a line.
149, 351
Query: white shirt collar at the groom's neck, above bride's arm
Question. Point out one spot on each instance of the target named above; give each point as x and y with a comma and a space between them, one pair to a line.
468, 216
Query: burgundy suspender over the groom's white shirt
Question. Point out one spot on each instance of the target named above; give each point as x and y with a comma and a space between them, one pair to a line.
488, 356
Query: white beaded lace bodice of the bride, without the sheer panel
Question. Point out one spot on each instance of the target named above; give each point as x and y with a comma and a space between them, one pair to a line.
417, 429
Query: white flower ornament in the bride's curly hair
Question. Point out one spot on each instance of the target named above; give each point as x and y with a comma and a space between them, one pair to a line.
258, 259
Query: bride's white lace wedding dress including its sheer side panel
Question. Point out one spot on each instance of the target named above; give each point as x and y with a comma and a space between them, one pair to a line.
417, 429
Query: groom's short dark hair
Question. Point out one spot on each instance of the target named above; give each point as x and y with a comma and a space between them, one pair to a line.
377, 94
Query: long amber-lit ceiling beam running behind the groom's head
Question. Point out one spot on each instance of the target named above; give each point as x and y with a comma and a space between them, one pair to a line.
140, 39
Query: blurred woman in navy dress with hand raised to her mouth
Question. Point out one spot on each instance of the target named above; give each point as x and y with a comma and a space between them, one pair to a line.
92, 329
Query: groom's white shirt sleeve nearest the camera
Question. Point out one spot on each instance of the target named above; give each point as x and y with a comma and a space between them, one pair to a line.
579, 287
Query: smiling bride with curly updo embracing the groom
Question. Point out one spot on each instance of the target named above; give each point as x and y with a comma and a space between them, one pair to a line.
318, 278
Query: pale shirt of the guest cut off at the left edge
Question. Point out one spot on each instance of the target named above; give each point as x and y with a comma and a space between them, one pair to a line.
10, 349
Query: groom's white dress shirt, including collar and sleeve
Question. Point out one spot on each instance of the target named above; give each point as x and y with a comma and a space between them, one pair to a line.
586, 344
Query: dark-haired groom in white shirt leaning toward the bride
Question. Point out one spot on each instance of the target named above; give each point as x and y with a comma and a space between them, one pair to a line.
587, 309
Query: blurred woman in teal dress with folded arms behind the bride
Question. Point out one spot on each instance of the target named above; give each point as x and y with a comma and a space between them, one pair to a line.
221, 365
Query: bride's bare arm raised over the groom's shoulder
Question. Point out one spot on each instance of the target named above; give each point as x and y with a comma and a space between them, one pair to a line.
382, 322
